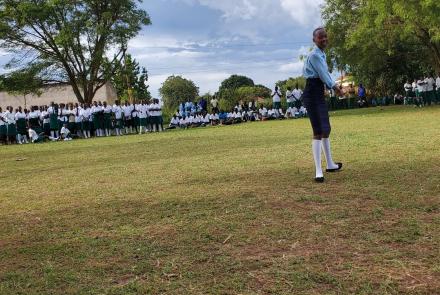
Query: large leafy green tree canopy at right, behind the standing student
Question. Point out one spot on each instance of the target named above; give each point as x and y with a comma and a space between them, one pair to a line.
383, 43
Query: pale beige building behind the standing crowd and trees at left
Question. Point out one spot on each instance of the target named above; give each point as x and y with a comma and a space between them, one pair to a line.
58, 93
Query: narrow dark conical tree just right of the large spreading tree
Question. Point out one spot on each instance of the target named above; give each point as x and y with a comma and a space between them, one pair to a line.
130, 80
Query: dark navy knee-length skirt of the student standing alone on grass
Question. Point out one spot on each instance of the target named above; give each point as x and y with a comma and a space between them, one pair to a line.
316, 106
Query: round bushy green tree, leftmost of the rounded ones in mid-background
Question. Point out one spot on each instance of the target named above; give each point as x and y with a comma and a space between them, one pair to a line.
176, 90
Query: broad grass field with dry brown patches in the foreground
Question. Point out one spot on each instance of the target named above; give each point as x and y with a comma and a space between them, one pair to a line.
227, 210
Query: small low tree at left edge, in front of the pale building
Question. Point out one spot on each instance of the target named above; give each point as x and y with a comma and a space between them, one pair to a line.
21, 83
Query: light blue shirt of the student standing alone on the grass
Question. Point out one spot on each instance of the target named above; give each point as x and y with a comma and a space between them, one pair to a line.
316, 67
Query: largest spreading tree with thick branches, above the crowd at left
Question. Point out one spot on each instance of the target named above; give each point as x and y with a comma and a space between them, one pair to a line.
70, 41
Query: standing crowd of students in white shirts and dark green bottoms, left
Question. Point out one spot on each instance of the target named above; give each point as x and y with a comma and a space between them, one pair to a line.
69, 121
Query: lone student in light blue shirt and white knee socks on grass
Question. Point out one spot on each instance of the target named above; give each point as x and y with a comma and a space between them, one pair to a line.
318, 77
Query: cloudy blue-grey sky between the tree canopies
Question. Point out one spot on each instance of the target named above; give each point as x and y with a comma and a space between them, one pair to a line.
208, 40
